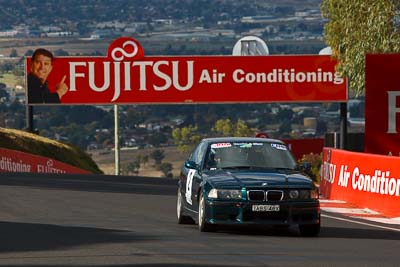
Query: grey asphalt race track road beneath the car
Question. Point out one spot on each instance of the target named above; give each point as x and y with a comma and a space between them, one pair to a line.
131, 221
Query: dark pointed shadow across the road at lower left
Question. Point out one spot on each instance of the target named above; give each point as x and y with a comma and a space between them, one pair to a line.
17, 237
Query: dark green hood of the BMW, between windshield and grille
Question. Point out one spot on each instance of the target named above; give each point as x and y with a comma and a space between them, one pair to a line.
272, 179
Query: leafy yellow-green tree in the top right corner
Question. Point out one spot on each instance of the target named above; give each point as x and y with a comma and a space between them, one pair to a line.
357, 27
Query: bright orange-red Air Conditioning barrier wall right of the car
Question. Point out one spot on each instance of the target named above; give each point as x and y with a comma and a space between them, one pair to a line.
368, 180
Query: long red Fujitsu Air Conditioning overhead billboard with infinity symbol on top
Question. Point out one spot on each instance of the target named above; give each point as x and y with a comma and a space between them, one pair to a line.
126, 76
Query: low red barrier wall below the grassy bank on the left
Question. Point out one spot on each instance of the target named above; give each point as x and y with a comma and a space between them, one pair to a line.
16, 161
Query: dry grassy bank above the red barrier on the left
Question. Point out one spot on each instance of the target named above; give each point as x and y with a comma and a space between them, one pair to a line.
38, 145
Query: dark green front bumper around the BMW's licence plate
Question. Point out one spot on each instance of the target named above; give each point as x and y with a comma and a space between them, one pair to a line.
240, 213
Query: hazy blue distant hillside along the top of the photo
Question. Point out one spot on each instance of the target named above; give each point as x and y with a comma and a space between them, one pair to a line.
84, 13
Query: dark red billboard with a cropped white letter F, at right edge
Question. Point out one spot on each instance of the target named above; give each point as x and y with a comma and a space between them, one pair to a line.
382, 104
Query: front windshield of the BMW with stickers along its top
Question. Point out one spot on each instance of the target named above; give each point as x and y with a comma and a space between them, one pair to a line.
248, 155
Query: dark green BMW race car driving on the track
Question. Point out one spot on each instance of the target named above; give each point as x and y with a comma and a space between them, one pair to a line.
246, 181
